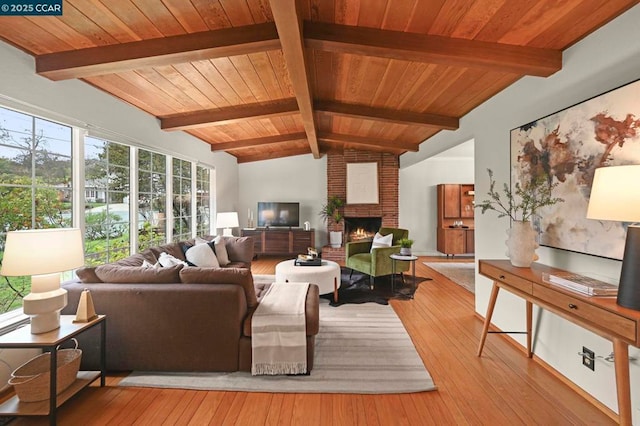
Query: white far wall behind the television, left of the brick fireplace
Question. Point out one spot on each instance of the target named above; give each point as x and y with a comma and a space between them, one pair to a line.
300, 179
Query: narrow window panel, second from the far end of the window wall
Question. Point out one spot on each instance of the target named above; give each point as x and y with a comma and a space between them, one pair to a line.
181, 200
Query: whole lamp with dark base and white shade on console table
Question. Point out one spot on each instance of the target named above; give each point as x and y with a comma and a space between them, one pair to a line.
615, 195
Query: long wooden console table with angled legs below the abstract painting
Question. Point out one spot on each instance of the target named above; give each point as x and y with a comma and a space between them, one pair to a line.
600, 315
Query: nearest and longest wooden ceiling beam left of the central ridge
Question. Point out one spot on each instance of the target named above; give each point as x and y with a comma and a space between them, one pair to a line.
160, 51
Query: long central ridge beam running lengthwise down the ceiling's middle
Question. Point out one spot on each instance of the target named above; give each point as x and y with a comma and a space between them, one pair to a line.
289, 25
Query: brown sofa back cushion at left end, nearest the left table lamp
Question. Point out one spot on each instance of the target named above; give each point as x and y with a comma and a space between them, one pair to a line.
112, 273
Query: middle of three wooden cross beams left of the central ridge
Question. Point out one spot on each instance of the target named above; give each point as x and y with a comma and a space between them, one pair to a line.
229, 115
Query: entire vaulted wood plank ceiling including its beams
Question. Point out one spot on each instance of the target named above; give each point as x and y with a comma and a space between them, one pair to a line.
264, 79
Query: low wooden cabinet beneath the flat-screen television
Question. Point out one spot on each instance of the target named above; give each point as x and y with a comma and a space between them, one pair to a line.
280, 241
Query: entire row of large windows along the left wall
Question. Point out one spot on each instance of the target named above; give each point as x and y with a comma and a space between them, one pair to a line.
36, 191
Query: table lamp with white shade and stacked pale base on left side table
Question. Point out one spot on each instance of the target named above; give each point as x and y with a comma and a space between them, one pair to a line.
43, 254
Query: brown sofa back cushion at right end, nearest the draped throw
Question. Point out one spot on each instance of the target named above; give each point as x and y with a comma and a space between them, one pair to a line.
238, 276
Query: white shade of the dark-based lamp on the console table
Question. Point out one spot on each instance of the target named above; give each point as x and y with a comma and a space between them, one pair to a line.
615, 194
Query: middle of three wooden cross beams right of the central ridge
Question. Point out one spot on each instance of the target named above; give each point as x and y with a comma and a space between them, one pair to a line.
387, 115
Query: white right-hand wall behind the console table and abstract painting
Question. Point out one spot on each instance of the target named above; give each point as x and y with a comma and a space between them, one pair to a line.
608, 58
